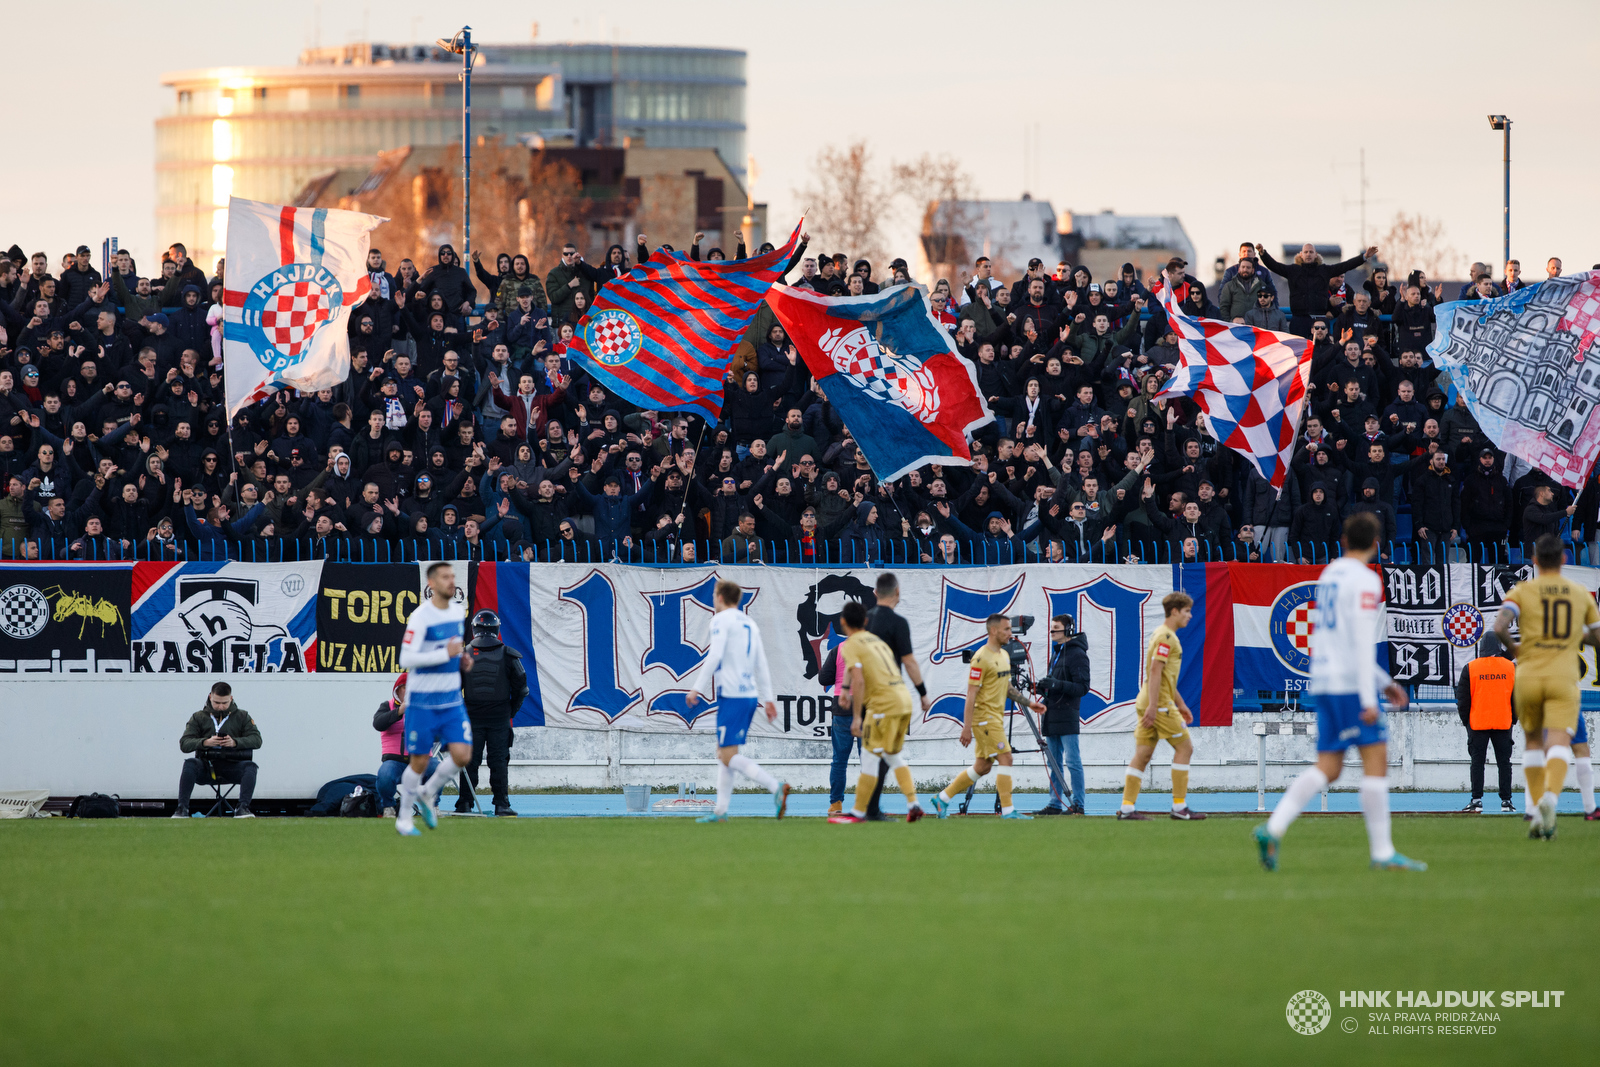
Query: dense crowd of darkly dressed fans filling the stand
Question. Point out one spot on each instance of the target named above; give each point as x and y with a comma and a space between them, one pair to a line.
466, 431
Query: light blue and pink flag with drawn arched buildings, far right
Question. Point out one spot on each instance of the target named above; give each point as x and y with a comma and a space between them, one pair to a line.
1527, 369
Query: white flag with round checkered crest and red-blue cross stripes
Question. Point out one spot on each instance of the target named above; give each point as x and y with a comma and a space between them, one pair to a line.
294, 278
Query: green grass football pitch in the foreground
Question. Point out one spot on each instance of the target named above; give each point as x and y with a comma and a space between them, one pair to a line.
658, 941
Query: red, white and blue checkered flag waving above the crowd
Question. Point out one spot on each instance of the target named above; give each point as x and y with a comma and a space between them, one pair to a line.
1250, 383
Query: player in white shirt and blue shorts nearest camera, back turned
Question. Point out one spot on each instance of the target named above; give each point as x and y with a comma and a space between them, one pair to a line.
1345, 685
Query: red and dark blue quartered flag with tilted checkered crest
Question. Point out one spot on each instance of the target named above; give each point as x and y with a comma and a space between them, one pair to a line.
892, 372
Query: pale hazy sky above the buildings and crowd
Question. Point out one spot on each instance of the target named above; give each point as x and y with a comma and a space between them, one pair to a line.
1247, 122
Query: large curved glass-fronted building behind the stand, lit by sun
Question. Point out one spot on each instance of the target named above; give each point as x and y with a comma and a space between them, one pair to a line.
268, 132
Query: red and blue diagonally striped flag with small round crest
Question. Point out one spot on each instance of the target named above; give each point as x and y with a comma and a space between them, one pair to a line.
663, 335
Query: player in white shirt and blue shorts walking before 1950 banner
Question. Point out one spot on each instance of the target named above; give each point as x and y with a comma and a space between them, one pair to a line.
738, 665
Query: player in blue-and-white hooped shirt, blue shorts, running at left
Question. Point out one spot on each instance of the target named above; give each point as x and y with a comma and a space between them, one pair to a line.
434, 711
